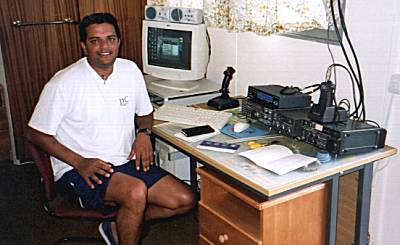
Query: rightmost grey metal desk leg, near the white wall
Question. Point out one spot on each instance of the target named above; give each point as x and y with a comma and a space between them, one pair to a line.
363, 205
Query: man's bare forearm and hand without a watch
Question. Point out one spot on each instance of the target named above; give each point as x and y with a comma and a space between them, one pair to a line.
87, 167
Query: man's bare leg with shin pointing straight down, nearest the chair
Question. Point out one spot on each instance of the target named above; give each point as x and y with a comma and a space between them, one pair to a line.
131, 194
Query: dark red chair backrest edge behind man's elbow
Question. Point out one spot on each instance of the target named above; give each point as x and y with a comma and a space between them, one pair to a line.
42, 161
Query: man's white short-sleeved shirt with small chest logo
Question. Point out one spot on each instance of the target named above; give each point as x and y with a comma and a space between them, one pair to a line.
90, 116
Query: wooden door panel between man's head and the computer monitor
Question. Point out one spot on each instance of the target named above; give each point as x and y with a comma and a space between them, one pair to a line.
129, 14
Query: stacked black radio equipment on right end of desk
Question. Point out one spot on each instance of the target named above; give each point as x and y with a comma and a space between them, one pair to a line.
288, 111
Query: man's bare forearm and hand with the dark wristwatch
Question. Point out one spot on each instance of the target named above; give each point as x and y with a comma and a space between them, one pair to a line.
142, 147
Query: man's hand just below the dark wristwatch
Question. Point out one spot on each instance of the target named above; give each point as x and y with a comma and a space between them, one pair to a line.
143, 150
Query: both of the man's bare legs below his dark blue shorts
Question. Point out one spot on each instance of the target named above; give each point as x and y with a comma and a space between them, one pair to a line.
166, 198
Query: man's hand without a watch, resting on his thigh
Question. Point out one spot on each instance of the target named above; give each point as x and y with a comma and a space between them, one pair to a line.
89, 167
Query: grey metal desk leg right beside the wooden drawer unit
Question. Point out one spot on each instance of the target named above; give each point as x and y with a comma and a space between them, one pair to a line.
334, 198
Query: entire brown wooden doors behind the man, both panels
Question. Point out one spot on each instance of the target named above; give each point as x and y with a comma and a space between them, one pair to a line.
32, 54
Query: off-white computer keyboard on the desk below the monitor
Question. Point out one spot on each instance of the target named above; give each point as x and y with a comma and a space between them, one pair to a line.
192, 116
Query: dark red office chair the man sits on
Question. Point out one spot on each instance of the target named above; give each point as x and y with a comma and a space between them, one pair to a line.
60, 203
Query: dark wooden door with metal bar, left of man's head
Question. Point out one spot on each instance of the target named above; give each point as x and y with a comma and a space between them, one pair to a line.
33, 53
